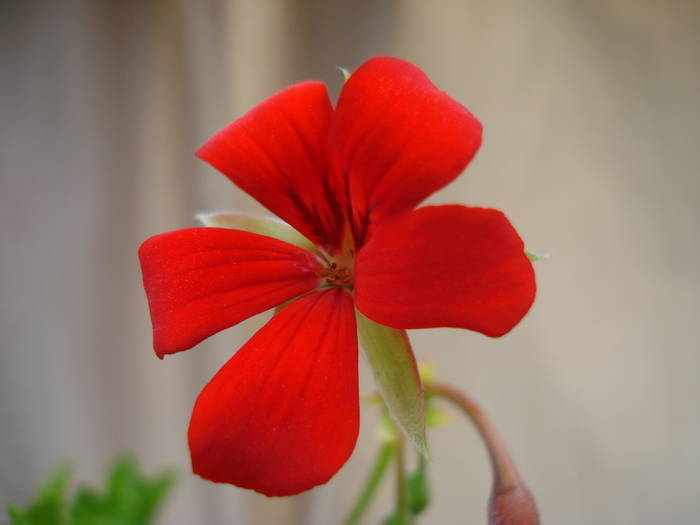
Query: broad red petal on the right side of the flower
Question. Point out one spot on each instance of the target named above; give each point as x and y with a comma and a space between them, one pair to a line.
446, 266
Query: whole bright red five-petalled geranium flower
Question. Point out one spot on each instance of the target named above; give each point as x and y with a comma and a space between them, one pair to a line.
282, 415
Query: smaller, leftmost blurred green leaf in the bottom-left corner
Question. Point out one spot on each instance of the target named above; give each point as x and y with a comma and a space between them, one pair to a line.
49, 507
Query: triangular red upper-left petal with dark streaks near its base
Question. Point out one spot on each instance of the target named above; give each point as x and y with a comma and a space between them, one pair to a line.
277, 153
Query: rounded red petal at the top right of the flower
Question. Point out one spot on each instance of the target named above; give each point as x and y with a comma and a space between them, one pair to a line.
397, 138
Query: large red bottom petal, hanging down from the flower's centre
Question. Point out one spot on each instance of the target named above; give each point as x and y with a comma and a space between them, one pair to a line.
282, 415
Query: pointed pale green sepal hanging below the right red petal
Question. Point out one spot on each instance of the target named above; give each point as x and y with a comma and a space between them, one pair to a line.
394, 367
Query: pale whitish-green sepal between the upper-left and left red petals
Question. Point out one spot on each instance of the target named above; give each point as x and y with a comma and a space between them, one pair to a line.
268, 226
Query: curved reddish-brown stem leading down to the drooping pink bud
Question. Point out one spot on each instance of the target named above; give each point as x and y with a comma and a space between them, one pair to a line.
505, 474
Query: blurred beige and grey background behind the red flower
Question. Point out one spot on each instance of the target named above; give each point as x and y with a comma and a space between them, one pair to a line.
591, 146
